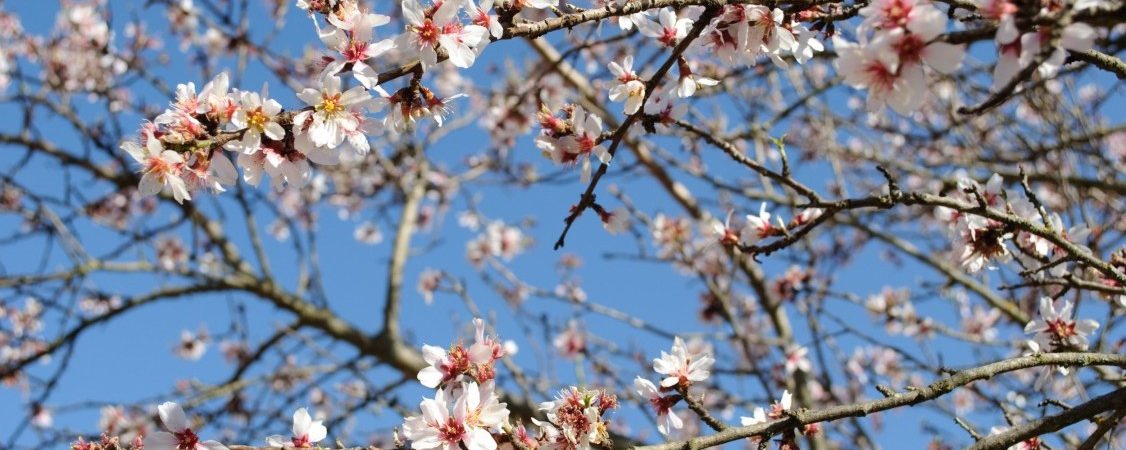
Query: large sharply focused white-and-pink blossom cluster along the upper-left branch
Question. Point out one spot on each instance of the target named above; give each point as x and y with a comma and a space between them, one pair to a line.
185, 149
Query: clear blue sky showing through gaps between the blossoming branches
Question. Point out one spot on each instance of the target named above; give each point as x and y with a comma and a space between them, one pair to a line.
131, 359
